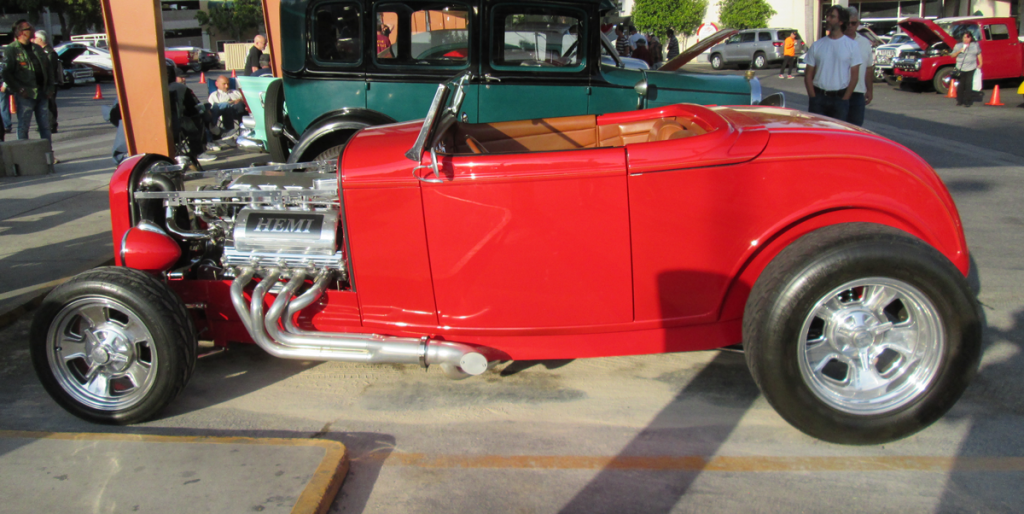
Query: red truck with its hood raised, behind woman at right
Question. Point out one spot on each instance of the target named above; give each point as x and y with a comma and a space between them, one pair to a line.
1003, 54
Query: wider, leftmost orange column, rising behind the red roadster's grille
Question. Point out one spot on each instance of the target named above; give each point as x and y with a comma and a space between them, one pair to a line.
136, 36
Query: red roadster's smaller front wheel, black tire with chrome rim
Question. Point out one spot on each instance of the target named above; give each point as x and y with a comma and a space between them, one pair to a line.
113, 346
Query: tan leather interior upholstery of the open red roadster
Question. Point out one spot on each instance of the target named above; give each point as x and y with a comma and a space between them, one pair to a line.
550, 135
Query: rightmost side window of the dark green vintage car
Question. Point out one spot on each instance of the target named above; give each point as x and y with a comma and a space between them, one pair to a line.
552, 38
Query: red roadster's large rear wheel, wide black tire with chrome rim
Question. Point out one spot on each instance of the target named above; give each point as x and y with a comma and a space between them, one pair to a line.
783, 334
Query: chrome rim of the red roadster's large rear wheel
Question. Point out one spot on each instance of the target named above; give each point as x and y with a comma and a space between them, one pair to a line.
872, 346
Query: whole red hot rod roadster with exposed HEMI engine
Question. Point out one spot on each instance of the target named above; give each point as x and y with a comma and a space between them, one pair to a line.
837, 258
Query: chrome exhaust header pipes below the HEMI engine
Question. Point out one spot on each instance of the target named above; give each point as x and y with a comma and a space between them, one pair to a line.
458, 361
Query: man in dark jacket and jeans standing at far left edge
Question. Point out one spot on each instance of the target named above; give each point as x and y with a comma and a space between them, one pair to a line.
28, 77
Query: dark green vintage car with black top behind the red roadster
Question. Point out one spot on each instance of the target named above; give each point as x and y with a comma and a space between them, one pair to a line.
354, 64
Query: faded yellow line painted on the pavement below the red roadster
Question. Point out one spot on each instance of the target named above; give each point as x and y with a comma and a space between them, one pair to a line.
706, 464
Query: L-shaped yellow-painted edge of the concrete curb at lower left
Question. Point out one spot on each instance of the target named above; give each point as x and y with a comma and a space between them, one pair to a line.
316, 497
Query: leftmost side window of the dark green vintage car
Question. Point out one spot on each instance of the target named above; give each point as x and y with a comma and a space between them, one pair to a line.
337, 37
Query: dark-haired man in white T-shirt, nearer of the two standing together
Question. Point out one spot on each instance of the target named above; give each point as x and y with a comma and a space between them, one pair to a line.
833, 68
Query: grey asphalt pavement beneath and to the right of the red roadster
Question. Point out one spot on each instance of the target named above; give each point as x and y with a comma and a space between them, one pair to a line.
645, 435
